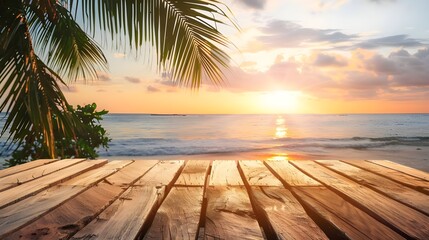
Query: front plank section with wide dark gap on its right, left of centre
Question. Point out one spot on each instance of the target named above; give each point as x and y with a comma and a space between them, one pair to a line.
179, 215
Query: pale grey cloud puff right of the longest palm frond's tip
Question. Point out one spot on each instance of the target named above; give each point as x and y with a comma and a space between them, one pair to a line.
286, 34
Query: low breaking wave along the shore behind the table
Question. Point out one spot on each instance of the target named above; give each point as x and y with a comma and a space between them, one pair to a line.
172, 146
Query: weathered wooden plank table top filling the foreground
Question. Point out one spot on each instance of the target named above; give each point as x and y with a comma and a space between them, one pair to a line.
221, 199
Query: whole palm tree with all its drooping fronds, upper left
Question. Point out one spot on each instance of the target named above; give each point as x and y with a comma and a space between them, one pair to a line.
42, 45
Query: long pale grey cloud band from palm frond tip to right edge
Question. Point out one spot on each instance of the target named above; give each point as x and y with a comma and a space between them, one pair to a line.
276, 34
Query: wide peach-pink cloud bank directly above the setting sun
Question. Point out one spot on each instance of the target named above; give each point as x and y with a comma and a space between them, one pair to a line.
362, 75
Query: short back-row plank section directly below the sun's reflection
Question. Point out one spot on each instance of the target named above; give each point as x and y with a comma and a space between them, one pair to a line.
290, 175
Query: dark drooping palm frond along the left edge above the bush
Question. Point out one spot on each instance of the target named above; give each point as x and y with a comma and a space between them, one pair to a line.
29, 89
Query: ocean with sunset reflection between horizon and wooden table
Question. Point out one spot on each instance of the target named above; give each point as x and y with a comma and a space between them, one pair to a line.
402, 138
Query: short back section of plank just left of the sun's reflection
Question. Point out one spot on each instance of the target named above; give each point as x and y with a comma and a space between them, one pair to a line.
257, 174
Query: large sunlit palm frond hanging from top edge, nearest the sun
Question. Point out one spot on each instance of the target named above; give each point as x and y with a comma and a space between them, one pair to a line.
182, 33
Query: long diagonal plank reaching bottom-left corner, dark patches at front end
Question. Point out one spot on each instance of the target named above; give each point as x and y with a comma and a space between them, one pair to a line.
78, 211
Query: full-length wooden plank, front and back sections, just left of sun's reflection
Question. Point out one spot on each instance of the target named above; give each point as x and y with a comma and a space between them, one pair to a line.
280, 213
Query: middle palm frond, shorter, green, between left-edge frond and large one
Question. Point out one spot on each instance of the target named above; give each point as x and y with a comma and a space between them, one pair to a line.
68, 50
